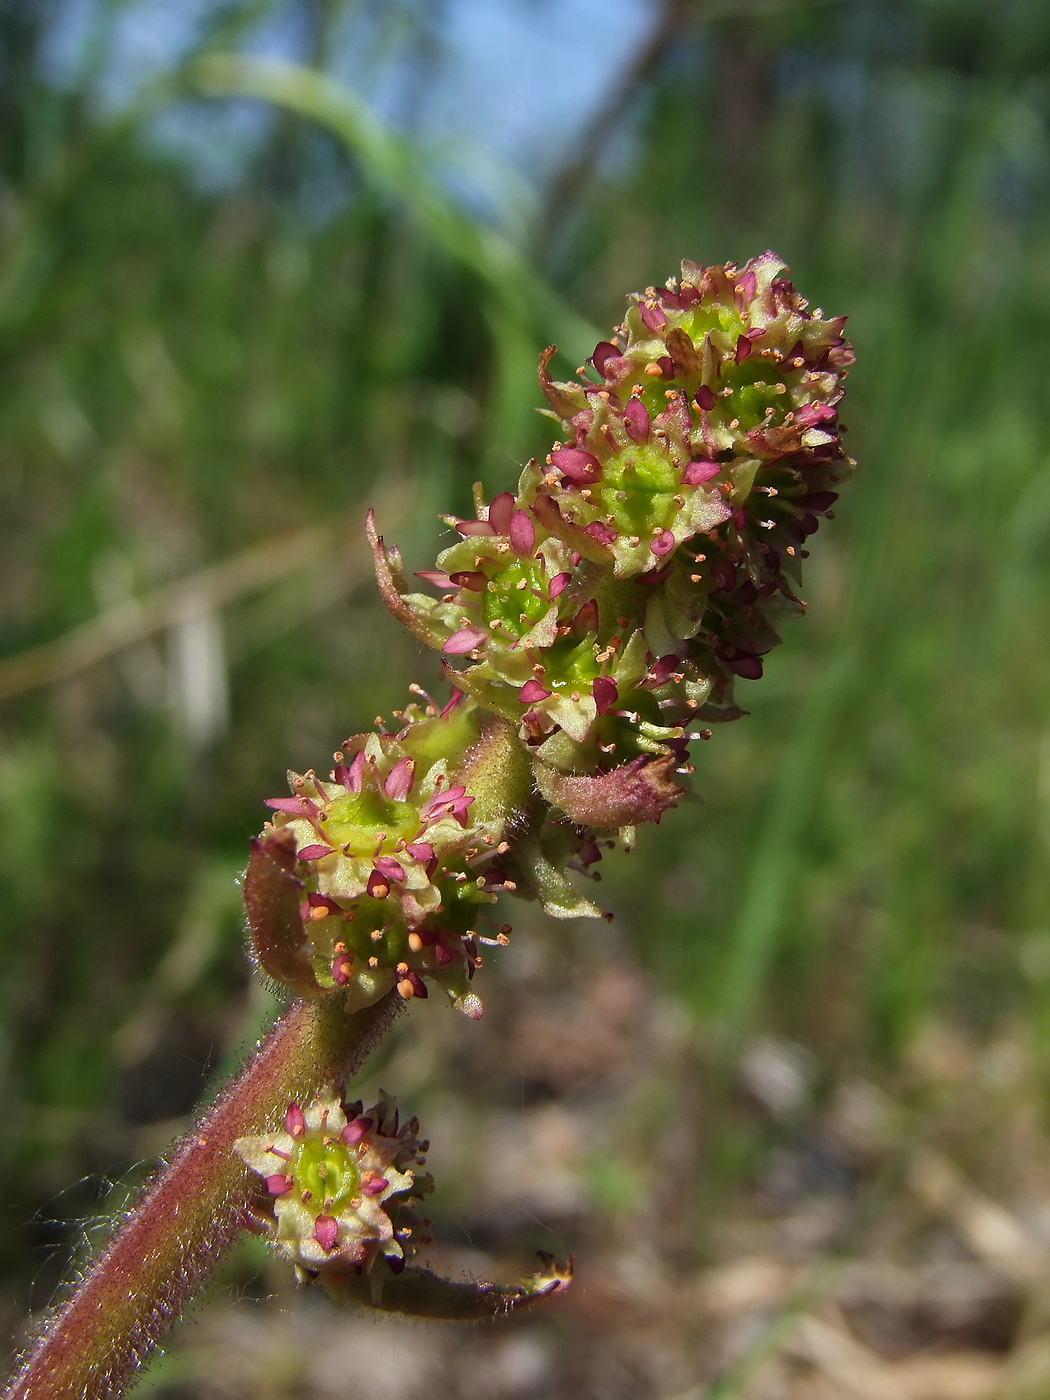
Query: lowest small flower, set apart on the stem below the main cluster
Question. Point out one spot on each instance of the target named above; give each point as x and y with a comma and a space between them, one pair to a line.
339, 1186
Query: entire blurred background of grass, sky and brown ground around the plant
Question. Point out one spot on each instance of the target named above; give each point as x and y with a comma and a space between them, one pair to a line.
790, 1109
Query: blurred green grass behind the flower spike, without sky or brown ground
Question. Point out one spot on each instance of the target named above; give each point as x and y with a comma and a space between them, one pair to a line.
190, 373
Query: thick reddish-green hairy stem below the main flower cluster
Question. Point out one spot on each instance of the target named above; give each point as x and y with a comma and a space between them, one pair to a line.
192, 1213
